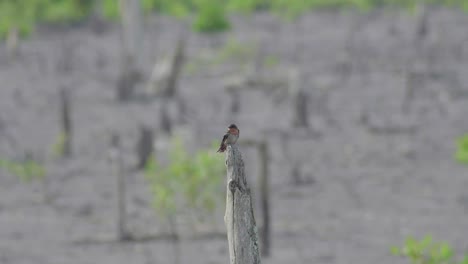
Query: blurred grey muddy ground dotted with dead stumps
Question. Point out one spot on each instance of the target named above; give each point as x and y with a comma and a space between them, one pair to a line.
368, 172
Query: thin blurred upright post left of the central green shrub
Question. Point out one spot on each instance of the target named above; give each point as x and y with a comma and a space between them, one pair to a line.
118, 173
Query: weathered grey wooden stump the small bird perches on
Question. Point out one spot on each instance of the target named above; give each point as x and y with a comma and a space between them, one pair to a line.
239, 218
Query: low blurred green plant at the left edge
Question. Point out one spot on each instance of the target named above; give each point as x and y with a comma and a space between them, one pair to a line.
27, 170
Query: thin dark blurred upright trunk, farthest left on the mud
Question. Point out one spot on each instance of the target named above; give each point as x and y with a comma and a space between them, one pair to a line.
66, 132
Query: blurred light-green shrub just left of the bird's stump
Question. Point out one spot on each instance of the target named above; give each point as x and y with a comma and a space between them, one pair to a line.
188, 182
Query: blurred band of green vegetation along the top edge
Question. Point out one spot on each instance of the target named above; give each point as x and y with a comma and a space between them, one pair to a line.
210, 14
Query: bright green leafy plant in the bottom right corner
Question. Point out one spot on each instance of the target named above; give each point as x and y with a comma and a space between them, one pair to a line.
426, 251
